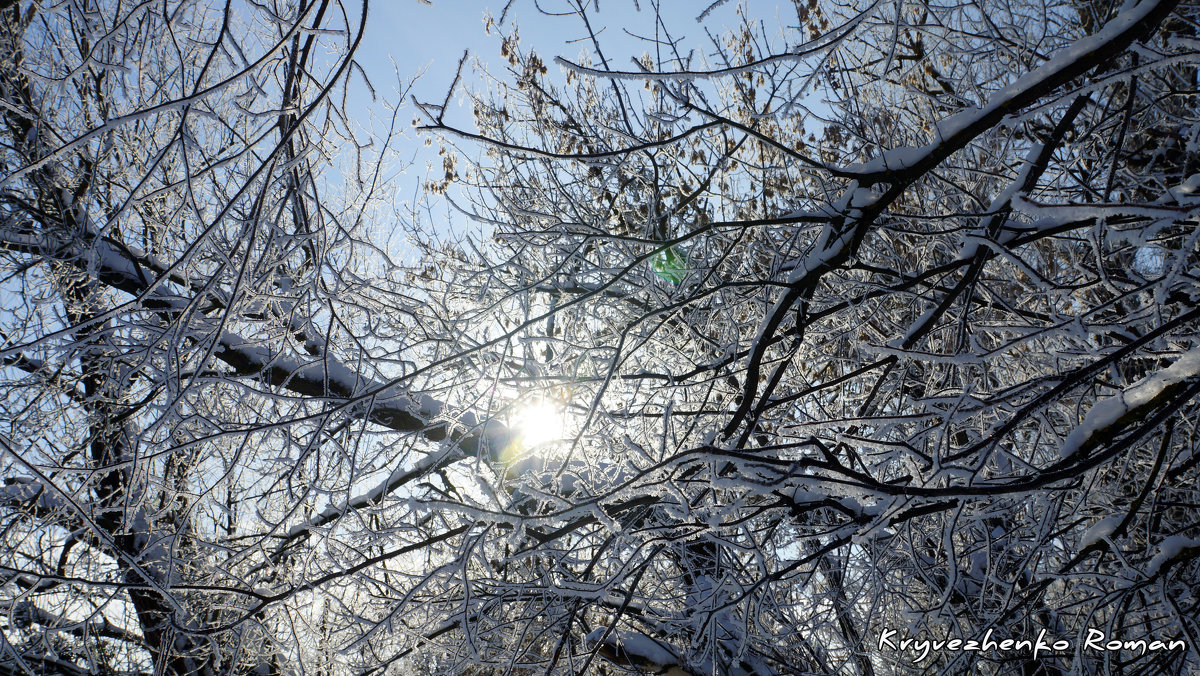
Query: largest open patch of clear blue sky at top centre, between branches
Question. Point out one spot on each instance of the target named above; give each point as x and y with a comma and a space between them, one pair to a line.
406, 38
